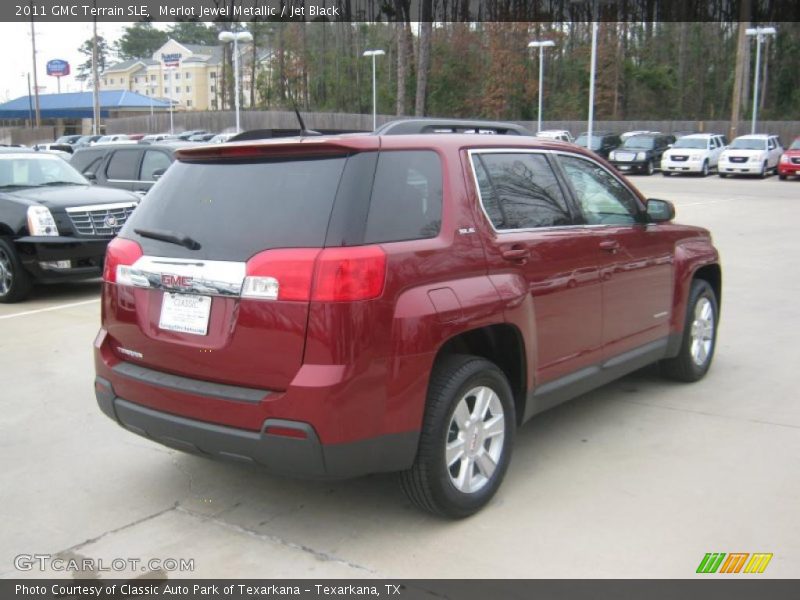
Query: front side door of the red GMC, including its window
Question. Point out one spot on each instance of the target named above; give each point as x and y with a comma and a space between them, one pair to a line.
635, 259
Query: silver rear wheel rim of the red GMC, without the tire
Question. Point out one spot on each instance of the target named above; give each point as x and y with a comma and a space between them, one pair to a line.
475, 439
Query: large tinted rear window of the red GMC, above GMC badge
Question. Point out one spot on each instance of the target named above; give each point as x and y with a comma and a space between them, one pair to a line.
237, 209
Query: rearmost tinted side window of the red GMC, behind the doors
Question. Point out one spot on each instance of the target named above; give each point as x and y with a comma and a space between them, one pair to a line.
406, 202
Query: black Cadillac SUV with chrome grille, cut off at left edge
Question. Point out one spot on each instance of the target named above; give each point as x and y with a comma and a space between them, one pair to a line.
54, 226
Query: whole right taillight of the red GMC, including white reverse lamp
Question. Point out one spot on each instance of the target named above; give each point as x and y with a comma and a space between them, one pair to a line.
329, 275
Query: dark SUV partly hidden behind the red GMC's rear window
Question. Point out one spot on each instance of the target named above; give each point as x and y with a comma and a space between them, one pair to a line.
135, 168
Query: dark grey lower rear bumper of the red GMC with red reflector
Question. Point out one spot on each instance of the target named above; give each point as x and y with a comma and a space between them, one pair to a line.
294, 450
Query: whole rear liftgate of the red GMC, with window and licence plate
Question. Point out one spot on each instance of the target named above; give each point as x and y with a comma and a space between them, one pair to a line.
185, 313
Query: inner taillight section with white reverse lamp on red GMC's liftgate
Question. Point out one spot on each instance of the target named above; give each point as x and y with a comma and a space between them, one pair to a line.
283, 274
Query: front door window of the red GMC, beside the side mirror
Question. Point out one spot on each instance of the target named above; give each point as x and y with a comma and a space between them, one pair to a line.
602, 198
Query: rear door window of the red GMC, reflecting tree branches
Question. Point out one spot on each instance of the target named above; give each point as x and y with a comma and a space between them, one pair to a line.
520, 191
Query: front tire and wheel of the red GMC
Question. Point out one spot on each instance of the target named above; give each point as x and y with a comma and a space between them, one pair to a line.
699, 336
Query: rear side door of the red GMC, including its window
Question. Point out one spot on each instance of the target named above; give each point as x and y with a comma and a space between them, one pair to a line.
535, 234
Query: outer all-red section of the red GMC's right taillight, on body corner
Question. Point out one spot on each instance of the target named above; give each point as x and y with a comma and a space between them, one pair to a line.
347, 274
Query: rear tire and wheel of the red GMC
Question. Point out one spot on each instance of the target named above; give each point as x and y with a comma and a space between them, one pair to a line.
466, 441
